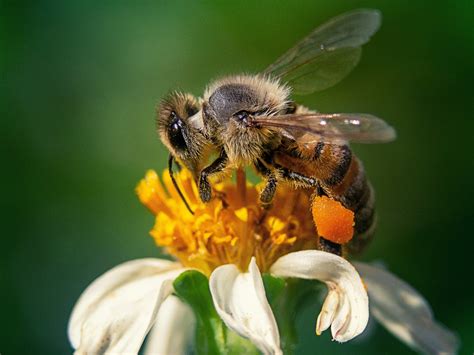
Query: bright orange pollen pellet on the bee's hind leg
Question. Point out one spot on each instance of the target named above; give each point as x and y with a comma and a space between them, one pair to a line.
333, 221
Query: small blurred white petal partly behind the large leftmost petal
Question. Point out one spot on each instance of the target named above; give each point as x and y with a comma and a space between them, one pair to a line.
174, 329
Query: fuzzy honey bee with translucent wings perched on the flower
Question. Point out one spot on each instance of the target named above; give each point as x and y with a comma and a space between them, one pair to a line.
250, 120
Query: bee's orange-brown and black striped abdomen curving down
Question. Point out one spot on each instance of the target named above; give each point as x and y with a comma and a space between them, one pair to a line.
341, 176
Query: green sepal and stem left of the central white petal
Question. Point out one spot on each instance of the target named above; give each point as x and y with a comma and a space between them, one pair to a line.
212, 336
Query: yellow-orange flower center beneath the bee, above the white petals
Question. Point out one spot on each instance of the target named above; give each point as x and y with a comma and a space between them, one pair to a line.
231, 228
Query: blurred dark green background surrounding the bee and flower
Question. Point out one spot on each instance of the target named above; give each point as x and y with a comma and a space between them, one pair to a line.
79, 83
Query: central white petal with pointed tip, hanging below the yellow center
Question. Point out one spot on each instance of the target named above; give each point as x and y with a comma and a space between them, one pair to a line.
240, 300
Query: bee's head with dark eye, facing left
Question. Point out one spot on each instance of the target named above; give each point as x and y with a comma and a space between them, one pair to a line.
179, 128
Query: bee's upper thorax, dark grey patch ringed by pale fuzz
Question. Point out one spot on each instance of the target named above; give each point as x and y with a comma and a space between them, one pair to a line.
236, 100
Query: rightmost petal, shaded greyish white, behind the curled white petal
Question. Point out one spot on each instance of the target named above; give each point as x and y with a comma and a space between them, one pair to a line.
405, 313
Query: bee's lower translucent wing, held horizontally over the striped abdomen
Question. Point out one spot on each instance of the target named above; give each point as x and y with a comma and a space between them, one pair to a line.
335, 128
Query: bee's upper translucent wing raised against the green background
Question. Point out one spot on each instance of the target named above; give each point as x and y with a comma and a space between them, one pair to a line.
327, 54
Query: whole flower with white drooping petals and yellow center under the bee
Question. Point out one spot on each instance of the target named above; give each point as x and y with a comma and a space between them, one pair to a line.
232, 240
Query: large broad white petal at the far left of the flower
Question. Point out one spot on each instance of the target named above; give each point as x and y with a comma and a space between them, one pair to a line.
117, 310
